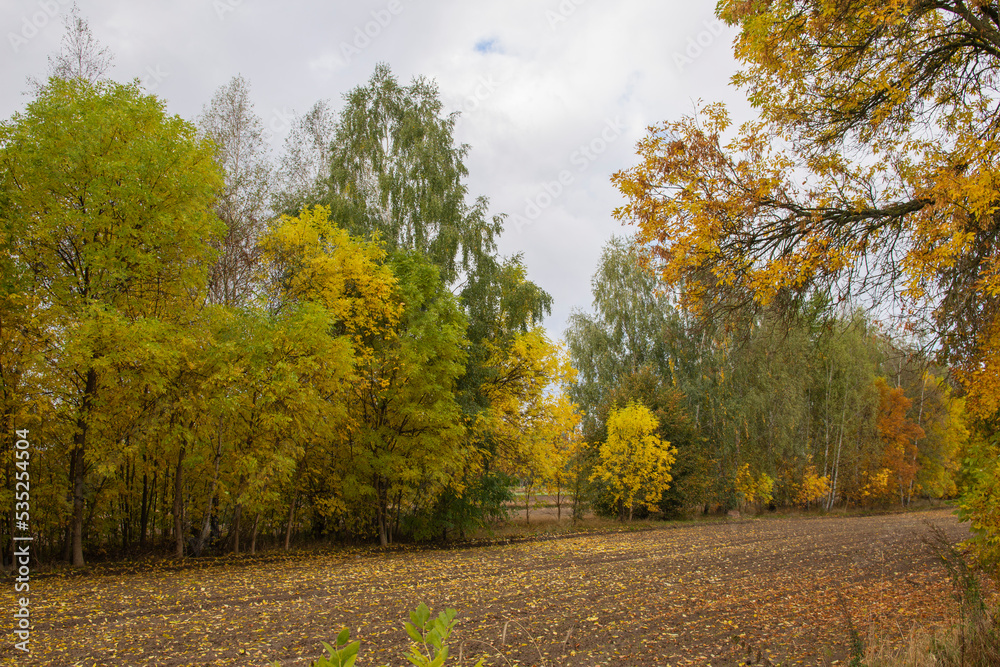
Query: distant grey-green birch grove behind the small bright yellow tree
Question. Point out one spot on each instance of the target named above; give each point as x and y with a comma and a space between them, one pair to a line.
778, 392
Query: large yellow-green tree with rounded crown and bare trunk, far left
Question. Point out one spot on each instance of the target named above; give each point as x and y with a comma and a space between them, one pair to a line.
109, 202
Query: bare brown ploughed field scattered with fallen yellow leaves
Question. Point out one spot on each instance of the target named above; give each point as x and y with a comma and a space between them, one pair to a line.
779, 589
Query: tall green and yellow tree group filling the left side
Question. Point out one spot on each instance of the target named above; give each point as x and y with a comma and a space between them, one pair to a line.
209, 349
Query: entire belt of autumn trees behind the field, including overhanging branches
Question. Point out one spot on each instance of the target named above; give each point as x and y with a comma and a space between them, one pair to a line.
210, 351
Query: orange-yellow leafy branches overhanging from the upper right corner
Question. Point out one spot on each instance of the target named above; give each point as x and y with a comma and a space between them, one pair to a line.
869, 172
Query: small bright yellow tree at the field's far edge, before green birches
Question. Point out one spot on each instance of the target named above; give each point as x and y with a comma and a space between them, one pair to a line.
634, 463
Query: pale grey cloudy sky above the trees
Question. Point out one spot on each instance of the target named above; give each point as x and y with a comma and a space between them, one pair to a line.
554, 94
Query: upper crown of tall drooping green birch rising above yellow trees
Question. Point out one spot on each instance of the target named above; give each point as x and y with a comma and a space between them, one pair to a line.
396, 172
